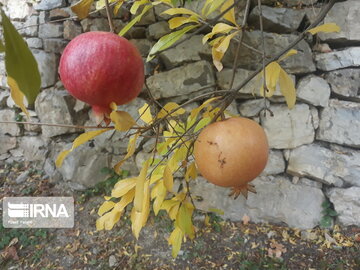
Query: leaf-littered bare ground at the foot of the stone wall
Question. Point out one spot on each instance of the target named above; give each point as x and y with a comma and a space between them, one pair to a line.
218, 244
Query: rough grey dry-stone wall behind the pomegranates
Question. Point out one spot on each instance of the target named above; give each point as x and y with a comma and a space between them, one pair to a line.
315, 147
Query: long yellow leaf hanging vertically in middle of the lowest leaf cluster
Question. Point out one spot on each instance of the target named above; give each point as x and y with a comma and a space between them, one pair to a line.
139, 218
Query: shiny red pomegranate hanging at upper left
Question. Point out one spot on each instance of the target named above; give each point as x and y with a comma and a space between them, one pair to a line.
101, 67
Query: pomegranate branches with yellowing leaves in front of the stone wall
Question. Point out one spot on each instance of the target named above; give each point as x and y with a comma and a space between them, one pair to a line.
175, 128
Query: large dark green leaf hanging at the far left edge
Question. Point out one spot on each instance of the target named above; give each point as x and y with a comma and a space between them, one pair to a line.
19, 62
